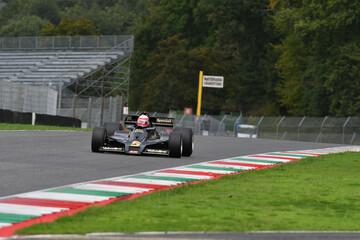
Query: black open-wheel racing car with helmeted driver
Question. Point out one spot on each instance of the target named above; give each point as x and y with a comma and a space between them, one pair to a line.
140, 136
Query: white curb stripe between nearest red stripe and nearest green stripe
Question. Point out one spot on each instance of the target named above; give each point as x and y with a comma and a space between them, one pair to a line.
28, 210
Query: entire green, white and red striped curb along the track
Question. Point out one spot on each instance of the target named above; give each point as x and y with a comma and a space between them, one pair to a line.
26, 209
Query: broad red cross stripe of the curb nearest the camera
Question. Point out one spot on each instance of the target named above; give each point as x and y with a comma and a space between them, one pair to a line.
44, 202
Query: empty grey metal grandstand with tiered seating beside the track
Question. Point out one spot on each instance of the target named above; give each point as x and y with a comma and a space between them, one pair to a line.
88, 74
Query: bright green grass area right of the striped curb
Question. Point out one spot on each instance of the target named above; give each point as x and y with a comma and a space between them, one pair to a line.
315, 194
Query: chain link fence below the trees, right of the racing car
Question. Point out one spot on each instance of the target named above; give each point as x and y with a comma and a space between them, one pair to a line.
345, 130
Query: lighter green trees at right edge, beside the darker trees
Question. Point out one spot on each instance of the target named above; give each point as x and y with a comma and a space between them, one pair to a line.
319, 57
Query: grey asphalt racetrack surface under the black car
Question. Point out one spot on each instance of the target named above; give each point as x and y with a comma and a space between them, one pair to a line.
34, 160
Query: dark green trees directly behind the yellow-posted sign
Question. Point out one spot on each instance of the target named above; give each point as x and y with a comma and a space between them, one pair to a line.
219, 37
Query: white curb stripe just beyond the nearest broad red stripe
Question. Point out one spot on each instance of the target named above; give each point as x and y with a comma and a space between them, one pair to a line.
63, 197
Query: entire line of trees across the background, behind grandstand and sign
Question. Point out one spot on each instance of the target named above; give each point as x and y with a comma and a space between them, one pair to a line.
278, 57
